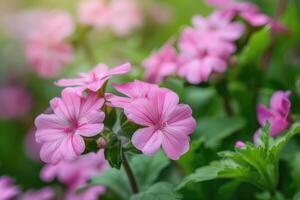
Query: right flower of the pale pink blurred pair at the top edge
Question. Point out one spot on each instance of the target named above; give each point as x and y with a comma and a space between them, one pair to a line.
126, 16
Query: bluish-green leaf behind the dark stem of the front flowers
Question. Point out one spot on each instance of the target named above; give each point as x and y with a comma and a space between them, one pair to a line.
145, 168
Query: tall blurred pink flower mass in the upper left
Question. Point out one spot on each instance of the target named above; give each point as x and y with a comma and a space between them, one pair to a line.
46, 49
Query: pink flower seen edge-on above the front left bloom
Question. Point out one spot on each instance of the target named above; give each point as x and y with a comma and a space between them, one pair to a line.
96, 78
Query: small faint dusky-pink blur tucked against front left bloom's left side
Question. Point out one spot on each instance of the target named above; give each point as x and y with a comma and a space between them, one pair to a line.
32, 148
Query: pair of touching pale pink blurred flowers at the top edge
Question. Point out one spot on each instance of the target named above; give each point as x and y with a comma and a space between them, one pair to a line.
121, 16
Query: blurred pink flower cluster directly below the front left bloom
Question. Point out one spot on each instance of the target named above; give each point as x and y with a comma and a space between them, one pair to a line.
76, 173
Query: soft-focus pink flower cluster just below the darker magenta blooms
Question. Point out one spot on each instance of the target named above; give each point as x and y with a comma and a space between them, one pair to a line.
203, 50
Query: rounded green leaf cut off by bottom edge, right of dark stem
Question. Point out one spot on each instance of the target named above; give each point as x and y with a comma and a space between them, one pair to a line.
159, 191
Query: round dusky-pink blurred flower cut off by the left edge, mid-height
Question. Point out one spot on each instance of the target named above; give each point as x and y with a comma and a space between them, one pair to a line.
15, 101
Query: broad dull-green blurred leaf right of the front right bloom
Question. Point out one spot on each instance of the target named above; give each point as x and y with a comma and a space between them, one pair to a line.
215, 129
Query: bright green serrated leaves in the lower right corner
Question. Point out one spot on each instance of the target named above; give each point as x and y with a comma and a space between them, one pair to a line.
257, 165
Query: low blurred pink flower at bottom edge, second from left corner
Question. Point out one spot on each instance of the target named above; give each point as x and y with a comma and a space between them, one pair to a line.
42, 194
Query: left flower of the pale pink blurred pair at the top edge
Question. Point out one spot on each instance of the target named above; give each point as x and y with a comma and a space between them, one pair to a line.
95, 13
